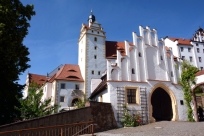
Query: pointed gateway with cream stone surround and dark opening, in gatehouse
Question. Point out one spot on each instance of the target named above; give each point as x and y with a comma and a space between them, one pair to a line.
162, 104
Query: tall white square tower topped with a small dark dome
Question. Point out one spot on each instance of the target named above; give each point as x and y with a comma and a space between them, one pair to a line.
91, 52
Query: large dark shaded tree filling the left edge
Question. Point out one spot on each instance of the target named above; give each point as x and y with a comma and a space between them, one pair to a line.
14, 25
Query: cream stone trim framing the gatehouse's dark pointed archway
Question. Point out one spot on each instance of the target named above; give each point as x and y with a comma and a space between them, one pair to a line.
173, 101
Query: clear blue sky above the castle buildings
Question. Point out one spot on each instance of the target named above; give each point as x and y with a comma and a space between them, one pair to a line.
54, 31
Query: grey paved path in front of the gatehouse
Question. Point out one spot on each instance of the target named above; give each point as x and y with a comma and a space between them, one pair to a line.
164, 128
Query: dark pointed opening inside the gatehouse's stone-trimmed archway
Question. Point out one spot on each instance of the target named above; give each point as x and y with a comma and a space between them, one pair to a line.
161, 105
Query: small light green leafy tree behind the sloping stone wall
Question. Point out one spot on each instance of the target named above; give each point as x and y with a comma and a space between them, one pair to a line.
33, 106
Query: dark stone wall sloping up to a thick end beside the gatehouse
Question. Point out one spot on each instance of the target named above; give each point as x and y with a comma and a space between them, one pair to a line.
100, 113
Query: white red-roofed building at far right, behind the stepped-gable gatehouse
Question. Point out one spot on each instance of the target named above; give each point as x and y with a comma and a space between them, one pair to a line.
189, 49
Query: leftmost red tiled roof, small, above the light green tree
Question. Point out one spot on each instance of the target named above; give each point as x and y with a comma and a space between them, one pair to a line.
39, 79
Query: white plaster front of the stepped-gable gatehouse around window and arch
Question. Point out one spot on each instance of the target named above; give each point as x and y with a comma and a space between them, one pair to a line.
145, 64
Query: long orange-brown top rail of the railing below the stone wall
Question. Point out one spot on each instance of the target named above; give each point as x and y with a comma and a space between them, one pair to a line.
47, 127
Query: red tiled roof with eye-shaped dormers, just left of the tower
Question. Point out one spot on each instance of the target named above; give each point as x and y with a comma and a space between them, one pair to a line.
68, 72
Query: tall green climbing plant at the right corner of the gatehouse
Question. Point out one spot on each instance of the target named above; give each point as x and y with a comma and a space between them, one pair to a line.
187, 81
